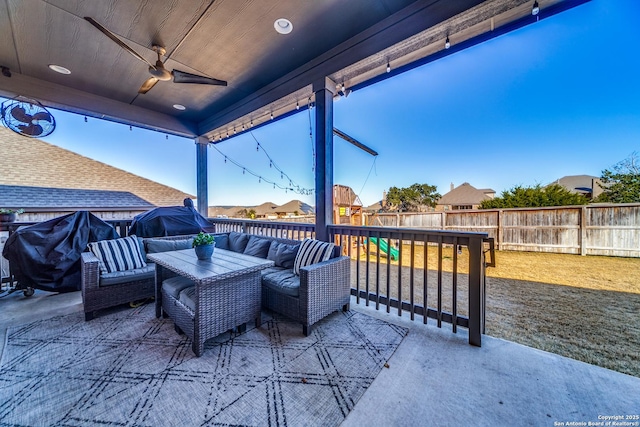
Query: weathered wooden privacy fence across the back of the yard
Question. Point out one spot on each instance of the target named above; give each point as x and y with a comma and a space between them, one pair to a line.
598, 229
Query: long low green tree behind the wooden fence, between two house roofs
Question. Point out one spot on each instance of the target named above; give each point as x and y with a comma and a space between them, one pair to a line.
533, 197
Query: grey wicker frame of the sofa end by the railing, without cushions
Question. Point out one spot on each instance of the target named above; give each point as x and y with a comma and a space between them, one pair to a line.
325, 287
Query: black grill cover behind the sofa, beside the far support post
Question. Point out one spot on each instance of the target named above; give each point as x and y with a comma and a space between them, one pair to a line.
170, 221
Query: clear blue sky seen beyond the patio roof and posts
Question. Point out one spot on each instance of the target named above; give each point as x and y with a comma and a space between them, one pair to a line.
559, 97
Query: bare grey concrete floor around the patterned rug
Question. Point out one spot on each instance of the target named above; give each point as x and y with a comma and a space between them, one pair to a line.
436, 378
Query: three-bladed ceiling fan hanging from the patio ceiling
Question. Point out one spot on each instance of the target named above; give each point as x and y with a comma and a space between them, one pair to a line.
158, 71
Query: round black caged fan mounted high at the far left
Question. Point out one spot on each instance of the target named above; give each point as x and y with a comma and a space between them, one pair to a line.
27, 117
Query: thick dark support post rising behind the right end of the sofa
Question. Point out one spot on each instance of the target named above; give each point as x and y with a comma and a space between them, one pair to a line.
324, 91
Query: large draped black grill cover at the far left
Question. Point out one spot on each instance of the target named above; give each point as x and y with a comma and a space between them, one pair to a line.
47, 255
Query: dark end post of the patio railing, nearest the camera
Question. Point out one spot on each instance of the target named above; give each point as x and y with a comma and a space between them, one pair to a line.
476, 290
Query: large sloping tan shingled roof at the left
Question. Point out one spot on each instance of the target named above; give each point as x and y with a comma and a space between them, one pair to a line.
35, 163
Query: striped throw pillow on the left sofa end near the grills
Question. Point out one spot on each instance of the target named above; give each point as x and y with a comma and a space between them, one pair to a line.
118, 254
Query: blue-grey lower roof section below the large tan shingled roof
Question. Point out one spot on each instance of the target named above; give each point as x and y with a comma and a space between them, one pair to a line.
16, 197
